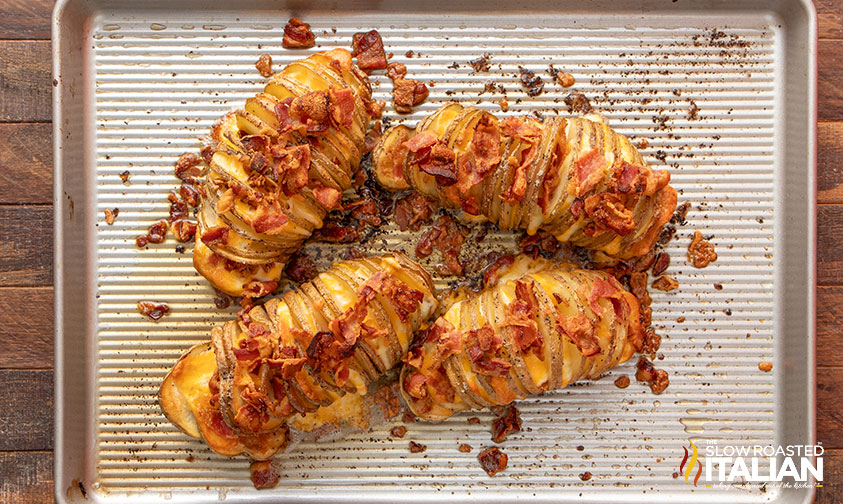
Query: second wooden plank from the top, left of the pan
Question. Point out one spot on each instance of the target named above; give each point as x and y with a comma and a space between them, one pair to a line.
25, 81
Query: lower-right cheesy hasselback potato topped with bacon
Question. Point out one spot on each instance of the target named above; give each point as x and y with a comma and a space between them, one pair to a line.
541, 327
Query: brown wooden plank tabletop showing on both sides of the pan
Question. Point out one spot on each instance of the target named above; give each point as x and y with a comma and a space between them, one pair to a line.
26, 292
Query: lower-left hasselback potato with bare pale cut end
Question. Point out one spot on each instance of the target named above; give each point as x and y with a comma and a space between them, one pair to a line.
304, 351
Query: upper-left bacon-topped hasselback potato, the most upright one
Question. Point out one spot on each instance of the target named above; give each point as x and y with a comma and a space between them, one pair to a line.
278, 166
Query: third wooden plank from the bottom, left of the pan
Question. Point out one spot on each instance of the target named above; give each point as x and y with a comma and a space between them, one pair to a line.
26, 327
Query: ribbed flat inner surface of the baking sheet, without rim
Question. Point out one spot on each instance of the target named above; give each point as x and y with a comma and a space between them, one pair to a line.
161, 83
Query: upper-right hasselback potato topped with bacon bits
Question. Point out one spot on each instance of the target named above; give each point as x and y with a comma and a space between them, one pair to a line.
575, 178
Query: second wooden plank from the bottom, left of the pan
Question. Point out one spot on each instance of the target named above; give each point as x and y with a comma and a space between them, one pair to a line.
26, 424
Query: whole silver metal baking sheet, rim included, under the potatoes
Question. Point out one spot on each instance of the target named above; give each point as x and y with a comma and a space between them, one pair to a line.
137, 84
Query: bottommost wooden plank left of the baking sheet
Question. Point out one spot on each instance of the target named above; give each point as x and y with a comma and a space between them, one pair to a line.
27, 477
